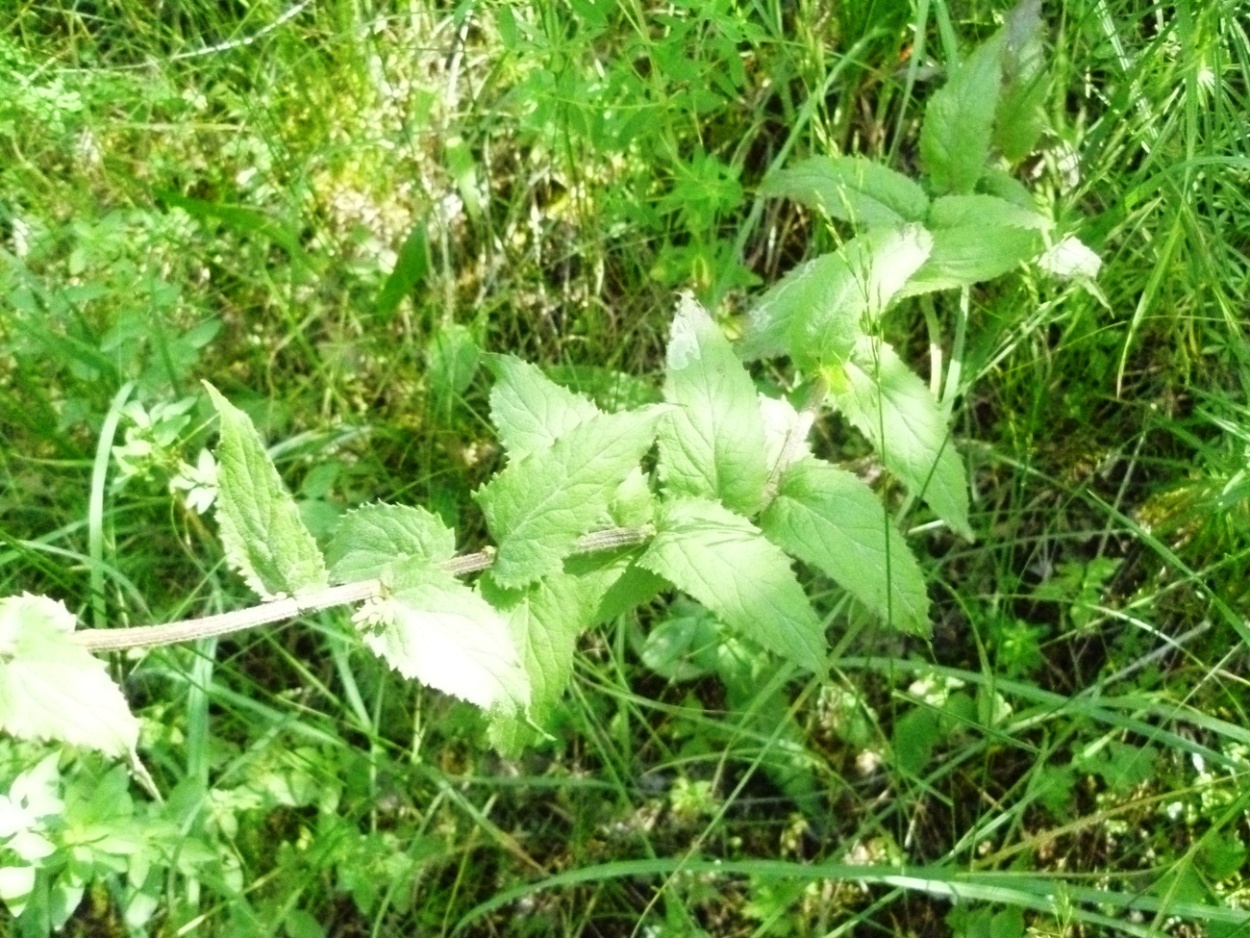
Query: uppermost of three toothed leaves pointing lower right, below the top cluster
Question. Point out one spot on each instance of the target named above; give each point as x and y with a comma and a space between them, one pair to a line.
889, 405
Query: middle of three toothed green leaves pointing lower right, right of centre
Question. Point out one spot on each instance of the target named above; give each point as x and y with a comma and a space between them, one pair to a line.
831, 520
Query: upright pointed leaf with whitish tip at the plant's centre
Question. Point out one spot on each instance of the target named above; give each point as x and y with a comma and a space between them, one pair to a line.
712, 442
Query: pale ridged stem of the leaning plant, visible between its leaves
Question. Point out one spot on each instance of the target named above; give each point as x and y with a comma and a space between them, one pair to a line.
281, 610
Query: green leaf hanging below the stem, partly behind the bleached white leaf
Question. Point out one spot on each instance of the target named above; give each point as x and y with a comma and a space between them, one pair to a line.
546, 621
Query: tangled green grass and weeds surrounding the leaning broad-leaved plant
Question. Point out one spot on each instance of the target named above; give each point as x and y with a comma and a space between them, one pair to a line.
331, 207
